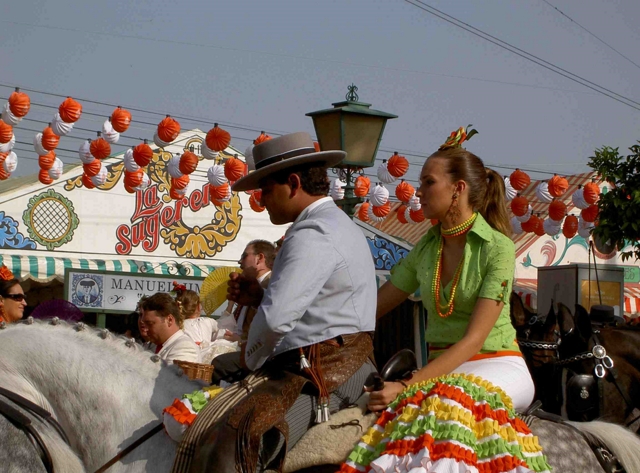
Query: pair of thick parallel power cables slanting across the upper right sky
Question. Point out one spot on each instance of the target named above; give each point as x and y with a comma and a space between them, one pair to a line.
524, 54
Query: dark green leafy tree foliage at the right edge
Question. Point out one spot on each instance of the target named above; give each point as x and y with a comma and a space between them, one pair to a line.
619, 219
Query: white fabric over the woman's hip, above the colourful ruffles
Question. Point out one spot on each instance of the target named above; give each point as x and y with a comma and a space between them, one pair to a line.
509, 373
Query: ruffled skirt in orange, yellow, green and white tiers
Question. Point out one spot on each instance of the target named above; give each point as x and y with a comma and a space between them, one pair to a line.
452, 424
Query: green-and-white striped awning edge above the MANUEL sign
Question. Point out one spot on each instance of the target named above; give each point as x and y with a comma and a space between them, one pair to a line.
47, 268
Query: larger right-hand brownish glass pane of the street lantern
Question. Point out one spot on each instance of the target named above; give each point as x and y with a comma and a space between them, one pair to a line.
361, 136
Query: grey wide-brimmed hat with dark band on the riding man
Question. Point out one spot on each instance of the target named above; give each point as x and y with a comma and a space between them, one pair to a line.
284, 152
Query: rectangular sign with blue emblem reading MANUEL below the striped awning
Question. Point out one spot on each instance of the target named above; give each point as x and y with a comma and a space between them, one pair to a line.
95, 291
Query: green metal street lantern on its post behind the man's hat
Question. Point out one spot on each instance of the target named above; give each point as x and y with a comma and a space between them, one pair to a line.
353, 127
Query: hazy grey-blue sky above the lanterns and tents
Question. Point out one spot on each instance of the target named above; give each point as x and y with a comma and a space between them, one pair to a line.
255, 66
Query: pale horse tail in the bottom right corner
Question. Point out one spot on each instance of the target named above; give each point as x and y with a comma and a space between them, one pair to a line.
623, 443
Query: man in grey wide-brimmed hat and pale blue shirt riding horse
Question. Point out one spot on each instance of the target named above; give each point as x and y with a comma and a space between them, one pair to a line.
314, 322
